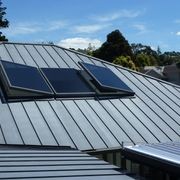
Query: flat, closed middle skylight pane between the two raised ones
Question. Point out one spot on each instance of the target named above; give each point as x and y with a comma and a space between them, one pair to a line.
67, 81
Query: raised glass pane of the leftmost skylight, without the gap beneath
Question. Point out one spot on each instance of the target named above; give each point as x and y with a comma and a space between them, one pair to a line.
24, 77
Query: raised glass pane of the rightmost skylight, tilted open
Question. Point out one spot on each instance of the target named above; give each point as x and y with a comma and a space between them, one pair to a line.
105, 78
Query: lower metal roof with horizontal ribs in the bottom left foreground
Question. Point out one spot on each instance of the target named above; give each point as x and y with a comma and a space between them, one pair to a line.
38, 163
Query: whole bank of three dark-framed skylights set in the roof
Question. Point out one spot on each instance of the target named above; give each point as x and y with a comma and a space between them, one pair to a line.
88, 86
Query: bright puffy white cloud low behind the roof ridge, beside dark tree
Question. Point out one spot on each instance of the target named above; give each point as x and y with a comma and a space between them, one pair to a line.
79, 42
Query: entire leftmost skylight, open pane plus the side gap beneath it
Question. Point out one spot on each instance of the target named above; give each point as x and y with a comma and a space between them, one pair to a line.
22, 80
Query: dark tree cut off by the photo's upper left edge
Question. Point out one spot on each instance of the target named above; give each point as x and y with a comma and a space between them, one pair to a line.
4, 23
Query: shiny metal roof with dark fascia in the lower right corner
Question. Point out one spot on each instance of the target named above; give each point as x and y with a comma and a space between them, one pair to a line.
160, 155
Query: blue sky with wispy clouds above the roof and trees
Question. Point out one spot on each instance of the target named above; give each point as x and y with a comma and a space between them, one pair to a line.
76, 23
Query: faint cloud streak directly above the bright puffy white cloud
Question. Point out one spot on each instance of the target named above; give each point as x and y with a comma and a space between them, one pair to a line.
90, 28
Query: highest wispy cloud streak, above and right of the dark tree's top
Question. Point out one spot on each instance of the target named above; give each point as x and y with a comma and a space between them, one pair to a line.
121, 14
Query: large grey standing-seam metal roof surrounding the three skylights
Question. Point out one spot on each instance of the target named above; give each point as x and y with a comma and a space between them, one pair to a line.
152, 116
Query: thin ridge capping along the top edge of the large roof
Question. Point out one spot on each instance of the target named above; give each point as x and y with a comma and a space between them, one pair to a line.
100, 60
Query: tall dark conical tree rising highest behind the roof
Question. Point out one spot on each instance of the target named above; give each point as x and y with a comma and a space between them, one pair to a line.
116, 45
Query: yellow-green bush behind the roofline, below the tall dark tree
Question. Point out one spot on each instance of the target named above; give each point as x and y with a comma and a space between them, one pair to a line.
125, 61
